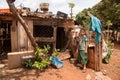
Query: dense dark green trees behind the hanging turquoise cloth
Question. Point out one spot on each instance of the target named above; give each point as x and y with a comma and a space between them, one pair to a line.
105, 10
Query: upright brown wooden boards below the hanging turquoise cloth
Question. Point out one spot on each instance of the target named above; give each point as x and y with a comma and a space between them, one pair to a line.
95, 56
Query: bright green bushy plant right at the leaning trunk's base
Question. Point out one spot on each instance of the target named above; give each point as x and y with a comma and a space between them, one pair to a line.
42, 58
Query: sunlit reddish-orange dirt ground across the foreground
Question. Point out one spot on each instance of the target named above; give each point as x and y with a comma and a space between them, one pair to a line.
67, 72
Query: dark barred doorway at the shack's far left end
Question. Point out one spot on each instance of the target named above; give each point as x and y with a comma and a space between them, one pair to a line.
5, 37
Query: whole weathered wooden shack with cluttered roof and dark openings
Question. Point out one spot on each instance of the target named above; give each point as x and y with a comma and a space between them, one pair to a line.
45, 27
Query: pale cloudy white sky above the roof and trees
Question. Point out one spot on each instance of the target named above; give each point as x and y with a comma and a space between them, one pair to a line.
54, 5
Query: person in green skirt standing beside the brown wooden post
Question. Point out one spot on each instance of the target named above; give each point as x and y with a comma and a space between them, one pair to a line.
82, 49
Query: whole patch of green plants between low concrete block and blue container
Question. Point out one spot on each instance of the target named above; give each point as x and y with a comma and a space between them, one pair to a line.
42, 58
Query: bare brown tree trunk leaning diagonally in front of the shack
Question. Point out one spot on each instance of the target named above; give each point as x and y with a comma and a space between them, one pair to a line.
20, 19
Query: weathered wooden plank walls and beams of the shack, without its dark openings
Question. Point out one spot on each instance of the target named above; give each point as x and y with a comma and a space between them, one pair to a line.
19, 39
